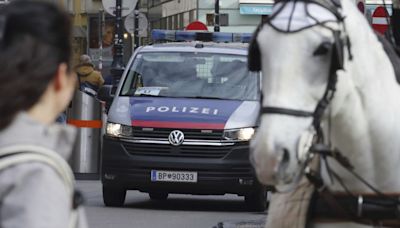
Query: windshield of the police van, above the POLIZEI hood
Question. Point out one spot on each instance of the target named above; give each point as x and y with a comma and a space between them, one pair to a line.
191, 75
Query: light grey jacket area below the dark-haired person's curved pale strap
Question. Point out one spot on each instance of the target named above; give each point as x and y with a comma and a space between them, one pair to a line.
40, 191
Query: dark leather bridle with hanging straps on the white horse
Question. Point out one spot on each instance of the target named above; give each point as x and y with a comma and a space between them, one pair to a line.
317, 145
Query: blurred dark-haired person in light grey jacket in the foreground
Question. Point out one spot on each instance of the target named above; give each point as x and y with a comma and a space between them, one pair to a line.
36, 85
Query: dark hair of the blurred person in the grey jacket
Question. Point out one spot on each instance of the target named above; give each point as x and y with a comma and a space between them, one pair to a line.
34, 40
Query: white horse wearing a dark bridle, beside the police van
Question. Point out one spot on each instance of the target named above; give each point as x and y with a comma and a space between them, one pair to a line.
363, 118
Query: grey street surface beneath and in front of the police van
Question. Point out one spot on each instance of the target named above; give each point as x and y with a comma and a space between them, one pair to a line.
179, 211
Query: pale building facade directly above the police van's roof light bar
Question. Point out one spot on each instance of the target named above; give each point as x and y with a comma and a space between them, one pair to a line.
235, 15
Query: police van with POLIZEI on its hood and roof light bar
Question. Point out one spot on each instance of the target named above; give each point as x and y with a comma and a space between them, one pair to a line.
181, 120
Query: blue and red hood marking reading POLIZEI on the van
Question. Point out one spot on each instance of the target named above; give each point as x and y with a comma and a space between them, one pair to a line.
183, 113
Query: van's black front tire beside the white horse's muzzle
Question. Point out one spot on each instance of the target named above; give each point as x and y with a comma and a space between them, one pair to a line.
258, 199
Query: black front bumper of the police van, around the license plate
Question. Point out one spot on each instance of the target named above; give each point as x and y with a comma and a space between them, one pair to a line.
221, 169
